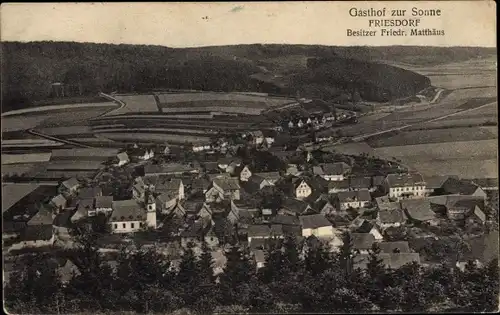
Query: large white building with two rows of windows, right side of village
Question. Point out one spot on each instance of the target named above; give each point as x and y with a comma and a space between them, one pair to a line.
403, 186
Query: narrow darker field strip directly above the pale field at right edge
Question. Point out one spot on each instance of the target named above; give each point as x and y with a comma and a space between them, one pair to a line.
436, 136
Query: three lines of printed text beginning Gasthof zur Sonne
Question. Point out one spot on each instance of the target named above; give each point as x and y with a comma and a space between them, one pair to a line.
387, 22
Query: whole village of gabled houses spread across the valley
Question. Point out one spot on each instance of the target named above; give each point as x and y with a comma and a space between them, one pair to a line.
252, 194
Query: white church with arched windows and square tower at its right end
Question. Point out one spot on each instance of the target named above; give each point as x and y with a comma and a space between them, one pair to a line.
130, 215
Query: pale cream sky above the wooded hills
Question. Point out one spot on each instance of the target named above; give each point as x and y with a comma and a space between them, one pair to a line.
465, 23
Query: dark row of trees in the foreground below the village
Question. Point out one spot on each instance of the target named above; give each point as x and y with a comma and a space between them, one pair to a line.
143, 282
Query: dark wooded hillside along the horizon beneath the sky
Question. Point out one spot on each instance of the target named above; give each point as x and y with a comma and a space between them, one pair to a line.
30, 69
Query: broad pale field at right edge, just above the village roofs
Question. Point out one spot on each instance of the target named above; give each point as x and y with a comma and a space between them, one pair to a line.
465, 159
